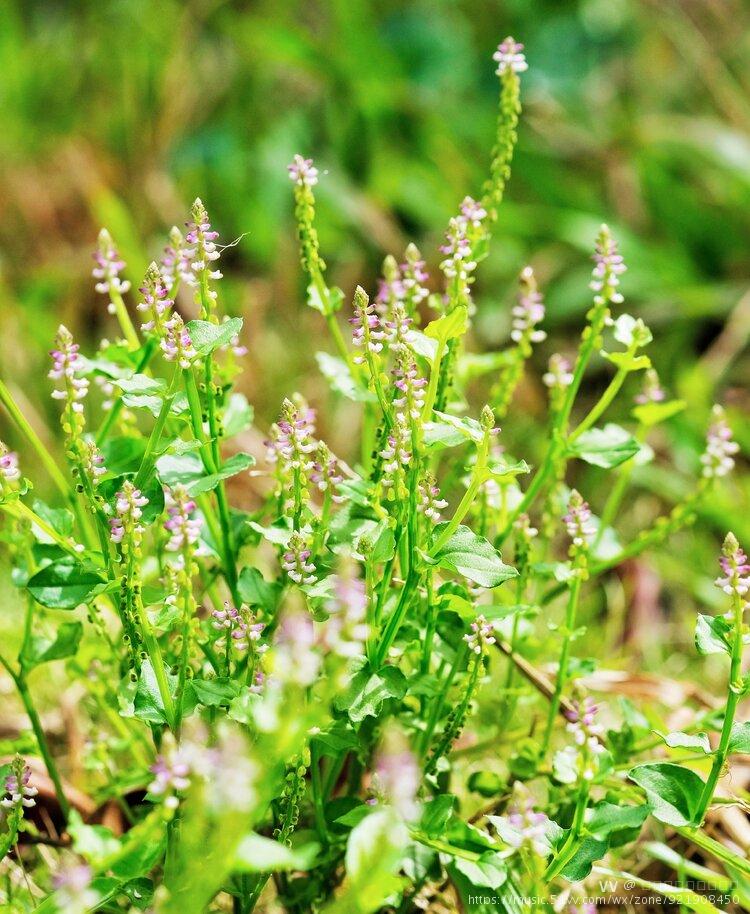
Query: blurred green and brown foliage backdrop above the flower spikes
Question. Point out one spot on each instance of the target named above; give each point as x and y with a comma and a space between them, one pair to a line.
636, 112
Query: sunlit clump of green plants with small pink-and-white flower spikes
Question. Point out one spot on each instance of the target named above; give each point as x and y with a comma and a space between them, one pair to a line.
283, 702
